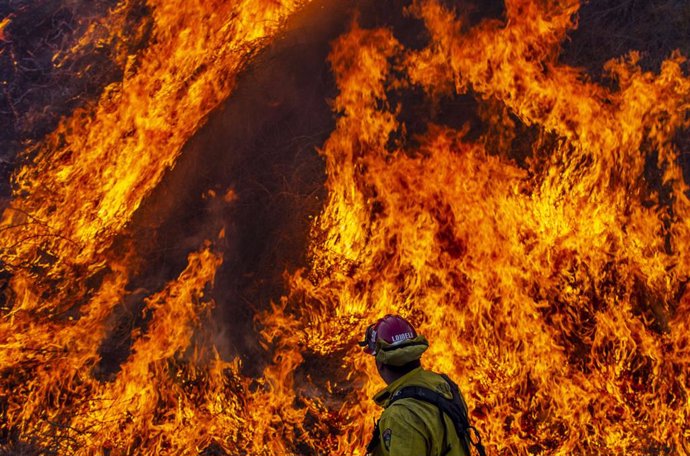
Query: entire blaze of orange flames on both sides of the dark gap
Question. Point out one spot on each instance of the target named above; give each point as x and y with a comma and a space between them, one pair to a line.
549, 273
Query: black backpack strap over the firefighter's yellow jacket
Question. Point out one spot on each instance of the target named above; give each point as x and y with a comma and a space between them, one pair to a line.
453, 408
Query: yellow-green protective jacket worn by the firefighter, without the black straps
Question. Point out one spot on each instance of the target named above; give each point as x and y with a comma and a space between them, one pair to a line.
411, 427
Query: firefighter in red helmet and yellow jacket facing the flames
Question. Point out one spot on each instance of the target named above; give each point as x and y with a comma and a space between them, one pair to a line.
424, 412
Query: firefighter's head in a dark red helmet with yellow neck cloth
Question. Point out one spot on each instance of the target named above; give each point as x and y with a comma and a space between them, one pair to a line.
394, 343
